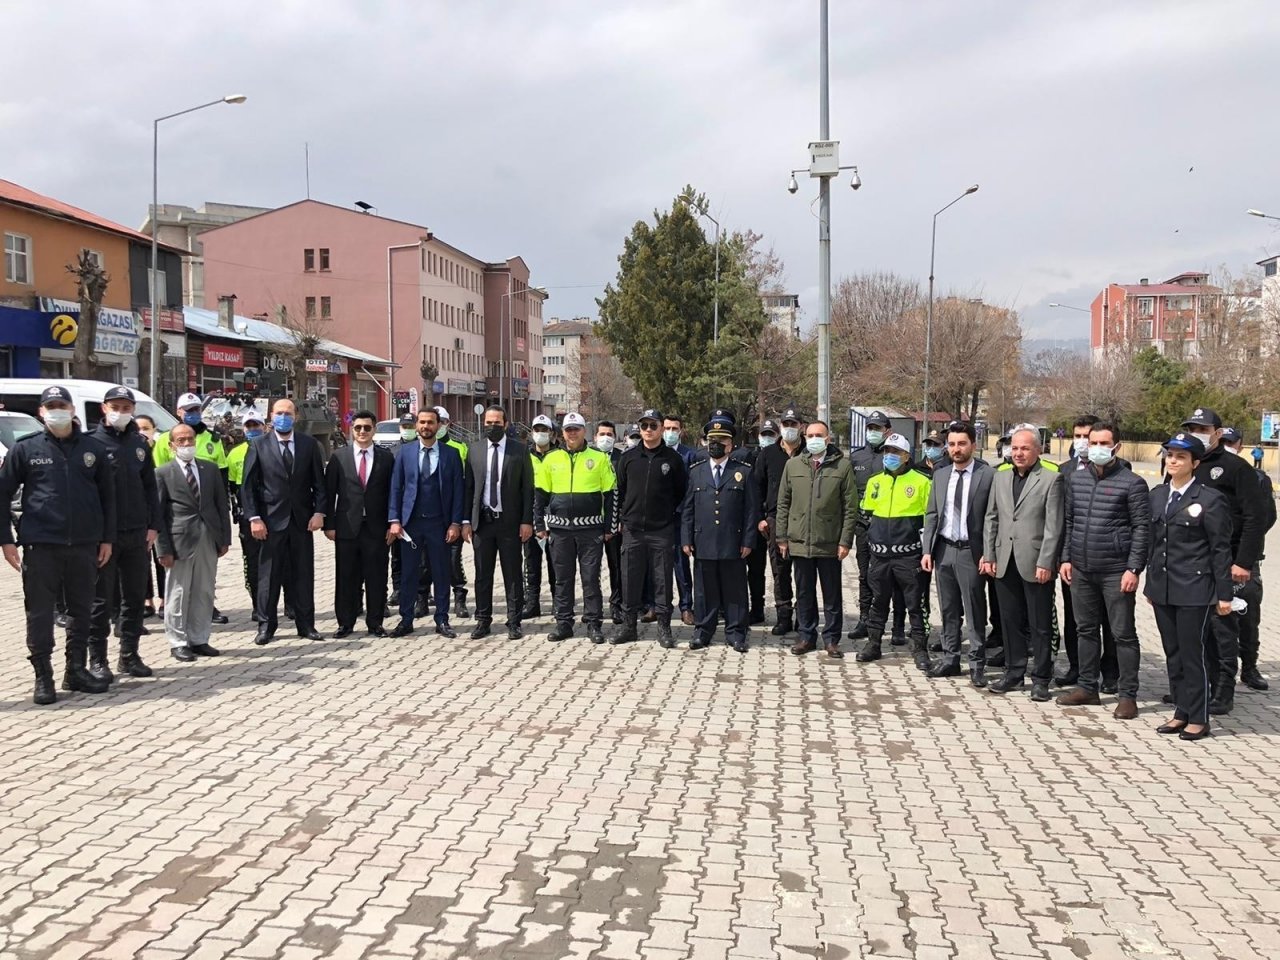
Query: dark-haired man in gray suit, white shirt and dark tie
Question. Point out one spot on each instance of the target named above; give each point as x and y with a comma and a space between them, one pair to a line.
953, 551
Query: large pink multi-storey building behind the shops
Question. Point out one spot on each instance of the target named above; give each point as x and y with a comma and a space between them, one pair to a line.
391, 289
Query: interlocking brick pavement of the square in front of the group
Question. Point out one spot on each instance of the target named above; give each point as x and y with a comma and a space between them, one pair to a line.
422, 798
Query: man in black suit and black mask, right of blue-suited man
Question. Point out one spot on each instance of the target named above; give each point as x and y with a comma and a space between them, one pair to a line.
500, 504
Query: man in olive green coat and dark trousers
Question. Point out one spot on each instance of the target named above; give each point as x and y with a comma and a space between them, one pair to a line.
817, 514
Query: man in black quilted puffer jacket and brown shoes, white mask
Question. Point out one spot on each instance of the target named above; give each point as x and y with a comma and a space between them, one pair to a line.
1104, 551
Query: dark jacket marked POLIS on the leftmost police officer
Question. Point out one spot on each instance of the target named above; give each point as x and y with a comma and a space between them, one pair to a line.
68, 491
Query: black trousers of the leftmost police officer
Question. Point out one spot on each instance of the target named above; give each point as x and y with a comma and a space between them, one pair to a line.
49, 573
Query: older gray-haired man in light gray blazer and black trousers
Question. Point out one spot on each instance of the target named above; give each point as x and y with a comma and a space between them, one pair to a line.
1021, 546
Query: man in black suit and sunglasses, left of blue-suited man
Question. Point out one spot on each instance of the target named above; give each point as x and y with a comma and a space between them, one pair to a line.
359, 486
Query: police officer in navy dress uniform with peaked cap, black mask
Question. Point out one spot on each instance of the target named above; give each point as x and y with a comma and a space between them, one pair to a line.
719, 518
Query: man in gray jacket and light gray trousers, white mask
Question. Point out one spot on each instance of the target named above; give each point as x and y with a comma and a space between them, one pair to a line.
195, 532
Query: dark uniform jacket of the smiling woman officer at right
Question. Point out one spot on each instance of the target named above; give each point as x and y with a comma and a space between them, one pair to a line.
1191, 550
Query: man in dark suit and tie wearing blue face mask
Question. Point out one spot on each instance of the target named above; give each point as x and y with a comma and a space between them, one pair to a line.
285, 501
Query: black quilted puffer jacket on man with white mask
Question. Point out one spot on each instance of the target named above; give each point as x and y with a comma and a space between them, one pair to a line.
1108, 520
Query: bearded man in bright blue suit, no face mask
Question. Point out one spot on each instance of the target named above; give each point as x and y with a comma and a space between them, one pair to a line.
427, 508
